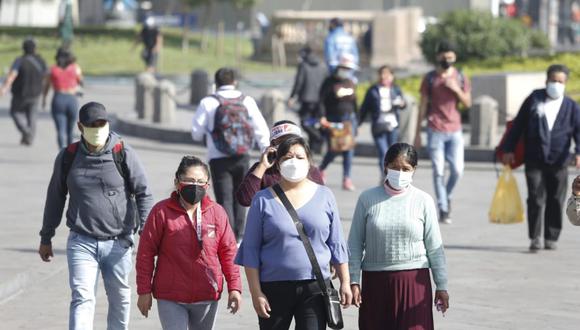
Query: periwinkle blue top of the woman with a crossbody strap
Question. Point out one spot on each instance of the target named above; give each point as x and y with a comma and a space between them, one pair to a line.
272, 245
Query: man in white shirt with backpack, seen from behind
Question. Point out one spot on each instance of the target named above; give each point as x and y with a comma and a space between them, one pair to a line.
231, 123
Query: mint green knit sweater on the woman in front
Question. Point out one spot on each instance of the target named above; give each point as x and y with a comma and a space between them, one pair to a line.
391, 233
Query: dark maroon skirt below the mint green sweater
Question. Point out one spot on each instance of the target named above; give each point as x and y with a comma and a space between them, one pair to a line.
396, 300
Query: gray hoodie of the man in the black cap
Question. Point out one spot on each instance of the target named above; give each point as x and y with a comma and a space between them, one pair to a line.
99, 205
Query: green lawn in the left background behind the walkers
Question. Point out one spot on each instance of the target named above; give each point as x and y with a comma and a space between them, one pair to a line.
102, 51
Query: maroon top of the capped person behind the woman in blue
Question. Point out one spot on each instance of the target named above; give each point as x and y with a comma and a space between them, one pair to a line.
252, 184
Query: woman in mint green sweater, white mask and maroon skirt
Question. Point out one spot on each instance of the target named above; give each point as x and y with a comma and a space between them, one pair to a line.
395, 228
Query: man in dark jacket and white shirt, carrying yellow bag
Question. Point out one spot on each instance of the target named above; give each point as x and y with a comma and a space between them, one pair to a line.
547, 121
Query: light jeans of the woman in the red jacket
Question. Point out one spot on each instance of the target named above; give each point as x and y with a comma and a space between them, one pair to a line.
179, 316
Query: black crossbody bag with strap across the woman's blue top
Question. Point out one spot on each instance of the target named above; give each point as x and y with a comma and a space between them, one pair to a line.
330, 294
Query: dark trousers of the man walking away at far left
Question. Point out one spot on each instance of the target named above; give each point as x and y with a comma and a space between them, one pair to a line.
23, 112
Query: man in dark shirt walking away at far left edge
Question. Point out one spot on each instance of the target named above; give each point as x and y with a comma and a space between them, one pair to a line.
25, 82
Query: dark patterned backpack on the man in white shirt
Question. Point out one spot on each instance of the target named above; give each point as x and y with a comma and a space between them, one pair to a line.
233, 133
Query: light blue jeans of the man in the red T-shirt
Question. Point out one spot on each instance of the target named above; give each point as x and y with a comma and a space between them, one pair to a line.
443, 147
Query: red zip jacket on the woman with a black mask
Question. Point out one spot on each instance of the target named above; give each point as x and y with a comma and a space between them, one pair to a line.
184, 272
